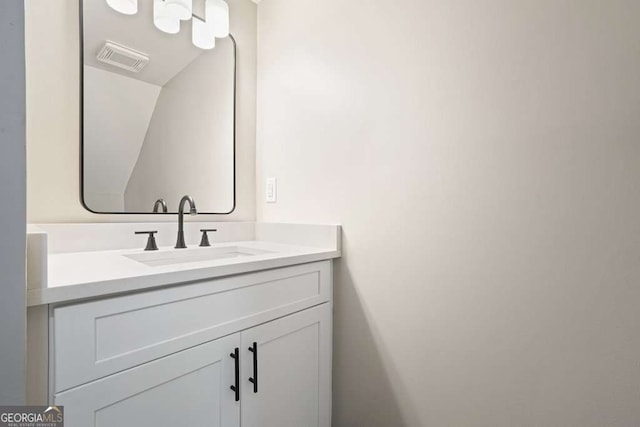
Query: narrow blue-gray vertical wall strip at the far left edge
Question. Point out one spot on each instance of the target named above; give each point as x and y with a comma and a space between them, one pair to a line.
13, 202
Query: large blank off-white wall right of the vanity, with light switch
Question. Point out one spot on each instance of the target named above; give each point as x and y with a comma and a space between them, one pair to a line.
483, 160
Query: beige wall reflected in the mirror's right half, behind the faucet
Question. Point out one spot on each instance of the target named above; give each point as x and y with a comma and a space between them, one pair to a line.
188, 147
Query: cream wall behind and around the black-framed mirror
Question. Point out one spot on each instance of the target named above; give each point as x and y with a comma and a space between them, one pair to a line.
53, 119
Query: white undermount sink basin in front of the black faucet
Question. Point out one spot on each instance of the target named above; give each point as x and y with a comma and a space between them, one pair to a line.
181, 256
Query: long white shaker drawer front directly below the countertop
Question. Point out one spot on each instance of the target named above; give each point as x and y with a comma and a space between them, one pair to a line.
99, 338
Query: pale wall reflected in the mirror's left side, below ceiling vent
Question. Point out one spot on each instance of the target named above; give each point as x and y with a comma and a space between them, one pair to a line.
117, 113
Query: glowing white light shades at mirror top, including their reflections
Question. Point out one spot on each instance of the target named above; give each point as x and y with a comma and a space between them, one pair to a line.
167, 15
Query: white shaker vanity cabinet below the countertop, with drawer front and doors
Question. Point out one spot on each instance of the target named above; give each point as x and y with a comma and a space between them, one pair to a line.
250, 350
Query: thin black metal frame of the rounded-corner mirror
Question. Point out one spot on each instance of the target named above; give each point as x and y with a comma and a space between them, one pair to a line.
235, 114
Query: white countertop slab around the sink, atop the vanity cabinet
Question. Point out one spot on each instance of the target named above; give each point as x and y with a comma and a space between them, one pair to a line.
79, 275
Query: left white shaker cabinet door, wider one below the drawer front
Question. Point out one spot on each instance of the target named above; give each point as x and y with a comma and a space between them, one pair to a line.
190, 388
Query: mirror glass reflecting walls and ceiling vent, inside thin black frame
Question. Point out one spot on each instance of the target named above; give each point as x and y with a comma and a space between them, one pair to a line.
158, 114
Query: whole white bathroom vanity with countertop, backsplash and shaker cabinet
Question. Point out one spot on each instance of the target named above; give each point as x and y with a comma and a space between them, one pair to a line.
237, 334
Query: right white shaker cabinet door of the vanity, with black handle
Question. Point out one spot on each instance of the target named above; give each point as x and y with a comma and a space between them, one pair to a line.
293, 371
